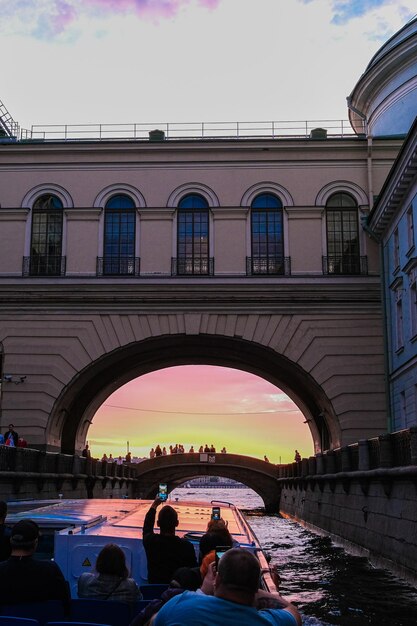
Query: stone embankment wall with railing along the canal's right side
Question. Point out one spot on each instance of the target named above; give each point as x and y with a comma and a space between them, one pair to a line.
371, 511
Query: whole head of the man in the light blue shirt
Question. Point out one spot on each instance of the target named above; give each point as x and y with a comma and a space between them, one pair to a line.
238, 576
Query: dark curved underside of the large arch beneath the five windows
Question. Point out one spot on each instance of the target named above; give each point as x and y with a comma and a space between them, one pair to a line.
75, 407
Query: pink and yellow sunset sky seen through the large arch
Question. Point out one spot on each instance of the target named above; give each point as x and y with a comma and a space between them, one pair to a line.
198, 405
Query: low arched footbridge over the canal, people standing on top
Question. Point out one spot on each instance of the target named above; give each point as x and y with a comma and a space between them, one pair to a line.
175, 469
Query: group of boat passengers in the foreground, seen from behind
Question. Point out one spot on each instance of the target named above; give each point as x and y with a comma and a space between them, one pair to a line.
200, 589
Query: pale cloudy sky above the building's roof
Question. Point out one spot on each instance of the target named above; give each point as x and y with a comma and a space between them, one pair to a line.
124, 61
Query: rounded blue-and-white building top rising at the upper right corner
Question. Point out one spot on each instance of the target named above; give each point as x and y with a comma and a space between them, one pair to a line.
384, 100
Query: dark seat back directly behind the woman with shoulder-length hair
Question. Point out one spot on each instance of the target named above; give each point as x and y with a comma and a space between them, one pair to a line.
112, 612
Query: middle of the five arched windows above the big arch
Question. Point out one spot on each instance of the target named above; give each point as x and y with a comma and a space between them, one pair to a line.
193, 236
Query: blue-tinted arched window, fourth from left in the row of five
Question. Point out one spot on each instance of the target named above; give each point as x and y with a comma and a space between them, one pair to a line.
267, 236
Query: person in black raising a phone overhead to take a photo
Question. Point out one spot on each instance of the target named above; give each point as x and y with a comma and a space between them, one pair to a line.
165, 552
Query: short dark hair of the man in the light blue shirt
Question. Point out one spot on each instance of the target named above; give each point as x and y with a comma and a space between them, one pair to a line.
240, 570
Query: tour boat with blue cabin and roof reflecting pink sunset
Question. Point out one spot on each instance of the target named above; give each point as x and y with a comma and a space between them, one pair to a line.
74, 531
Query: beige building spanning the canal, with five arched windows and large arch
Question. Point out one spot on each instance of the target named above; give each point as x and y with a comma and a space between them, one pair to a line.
123, 255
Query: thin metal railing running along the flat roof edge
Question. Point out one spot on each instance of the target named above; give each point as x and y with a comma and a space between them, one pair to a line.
190, 130
